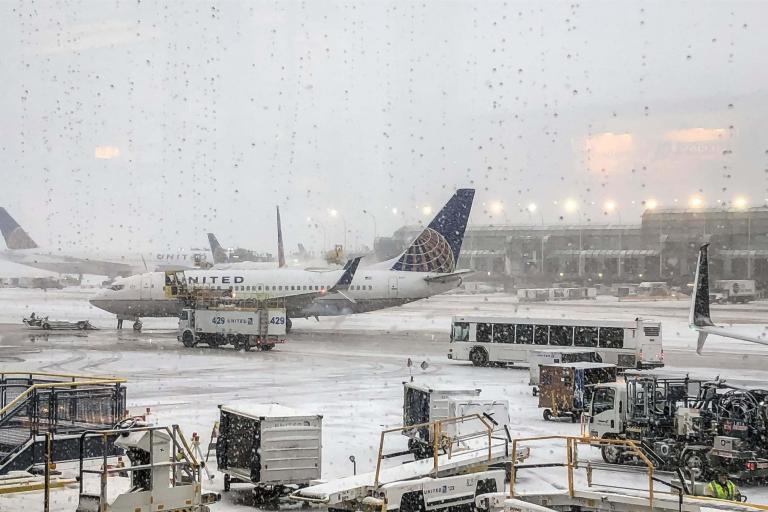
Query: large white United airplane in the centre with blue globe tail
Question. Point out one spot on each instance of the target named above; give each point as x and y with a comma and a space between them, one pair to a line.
427, 267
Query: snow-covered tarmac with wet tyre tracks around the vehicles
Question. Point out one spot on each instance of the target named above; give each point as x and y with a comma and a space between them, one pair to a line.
350, 369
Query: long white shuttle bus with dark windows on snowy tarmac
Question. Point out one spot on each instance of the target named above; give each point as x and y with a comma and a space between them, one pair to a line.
510, 341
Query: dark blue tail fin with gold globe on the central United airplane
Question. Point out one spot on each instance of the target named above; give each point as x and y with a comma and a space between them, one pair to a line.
437, 248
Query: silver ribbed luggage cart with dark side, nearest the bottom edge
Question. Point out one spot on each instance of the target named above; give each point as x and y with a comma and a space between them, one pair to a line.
275, 448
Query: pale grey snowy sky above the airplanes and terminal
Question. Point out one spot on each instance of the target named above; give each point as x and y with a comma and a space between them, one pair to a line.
142, 124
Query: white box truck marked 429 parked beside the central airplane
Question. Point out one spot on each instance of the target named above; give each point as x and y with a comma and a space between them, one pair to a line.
244, 328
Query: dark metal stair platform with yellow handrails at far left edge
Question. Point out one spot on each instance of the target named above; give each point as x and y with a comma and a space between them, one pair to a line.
64, 406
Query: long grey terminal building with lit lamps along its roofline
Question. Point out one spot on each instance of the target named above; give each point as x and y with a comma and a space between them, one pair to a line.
663, 247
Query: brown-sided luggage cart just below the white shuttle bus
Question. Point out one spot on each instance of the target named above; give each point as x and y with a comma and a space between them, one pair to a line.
565, 389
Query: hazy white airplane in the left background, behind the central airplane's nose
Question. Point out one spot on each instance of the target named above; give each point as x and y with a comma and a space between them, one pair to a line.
23, 250
